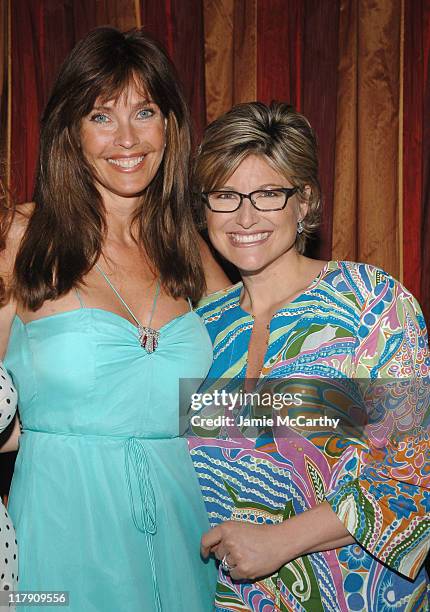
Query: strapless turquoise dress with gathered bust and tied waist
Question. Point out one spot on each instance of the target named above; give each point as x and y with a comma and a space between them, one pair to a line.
104, 497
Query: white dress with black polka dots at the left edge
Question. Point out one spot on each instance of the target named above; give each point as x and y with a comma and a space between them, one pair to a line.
8, 546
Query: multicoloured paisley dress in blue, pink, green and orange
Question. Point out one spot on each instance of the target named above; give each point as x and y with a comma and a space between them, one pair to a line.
353, 323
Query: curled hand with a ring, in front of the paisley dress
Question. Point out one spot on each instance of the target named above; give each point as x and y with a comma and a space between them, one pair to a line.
250, 550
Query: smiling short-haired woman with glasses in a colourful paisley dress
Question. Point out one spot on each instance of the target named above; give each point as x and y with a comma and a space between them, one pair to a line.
319, 501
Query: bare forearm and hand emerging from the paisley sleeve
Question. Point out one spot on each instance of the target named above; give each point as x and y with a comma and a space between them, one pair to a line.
260, 550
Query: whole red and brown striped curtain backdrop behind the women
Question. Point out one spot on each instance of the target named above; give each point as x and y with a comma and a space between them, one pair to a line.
359, 69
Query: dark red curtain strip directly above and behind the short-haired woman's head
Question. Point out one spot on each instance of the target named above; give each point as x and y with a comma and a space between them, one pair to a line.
290, 36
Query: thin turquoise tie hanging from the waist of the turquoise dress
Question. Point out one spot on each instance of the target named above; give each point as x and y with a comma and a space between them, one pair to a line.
144, 514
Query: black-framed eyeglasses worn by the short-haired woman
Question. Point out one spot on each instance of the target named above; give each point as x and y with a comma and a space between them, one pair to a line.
264, 200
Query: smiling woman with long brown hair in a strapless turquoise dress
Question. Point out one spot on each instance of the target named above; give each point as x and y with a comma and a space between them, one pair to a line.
104, 498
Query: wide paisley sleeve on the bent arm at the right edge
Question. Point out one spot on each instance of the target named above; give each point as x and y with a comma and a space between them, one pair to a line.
386, 507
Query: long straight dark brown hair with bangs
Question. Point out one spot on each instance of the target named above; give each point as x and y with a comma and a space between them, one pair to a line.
65, 234
